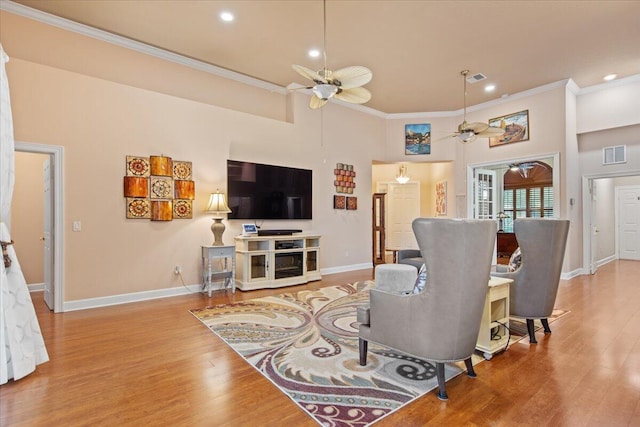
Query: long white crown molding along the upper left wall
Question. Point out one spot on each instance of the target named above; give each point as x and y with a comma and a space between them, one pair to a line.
136, 46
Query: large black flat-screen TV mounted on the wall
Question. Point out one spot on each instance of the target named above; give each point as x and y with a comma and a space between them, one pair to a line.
258, 191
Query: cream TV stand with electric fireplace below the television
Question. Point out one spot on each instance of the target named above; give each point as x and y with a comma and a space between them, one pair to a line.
277, 261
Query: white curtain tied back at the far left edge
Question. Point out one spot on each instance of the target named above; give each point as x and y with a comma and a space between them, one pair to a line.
21, 343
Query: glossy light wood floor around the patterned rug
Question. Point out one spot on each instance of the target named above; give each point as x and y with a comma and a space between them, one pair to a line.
153, 363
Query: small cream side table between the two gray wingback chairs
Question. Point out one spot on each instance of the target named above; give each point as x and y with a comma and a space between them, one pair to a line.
495, 316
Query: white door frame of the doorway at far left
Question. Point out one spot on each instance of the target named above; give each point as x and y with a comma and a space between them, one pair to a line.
54, 257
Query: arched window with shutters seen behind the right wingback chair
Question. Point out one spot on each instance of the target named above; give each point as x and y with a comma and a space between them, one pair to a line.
528, 192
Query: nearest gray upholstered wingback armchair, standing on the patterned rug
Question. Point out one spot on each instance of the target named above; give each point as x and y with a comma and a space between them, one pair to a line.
442, 322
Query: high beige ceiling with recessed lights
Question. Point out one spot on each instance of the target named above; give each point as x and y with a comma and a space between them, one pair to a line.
416, 49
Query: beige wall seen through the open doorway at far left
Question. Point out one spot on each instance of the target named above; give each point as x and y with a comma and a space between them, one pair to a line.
27, 208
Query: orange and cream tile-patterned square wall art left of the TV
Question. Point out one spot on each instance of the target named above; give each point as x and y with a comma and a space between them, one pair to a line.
159, 188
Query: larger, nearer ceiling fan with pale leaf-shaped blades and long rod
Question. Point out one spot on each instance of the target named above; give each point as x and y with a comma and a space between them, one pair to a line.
345, 84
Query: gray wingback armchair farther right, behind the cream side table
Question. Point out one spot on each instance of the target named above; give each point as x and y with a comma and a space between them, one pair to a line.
535, 282
